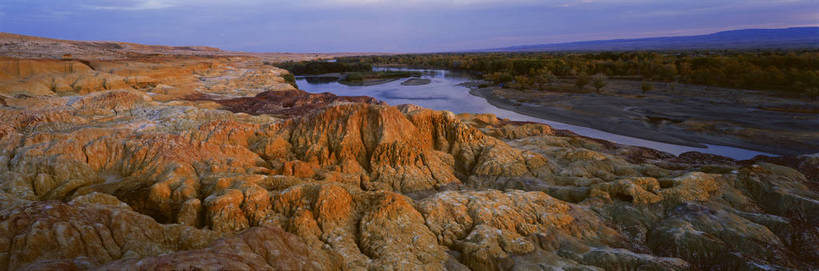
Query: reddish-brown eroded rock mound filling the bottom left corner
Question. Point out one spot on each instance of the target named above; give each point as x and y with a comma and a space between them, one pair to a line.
84, 233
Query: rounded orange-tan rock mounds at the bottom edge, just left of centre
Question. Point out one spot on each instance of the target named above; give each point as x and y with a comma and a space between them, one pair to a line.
380, 230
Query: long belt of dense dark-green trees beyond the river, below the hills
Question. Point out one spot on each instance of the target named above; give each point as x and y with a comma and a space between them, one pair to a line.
790, 73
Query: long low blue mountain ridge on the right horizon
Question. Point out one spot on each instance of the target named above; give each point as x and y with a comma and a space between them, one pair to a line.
784, 38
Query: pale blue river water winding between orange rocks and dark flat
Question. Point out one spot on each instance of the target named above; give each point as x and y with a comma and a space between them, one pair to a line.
444, 93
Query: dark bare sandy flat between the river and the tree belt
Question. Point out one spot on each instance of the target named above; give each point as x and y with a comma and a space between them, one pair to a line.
677, 114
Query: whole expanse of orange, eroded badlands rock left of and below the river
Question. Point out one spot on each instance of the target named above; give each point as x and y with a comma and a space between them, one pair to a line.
131, 157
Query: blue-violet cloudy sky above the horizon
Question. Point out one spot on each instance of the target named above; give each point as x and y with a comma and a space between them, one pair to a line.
389, 25
